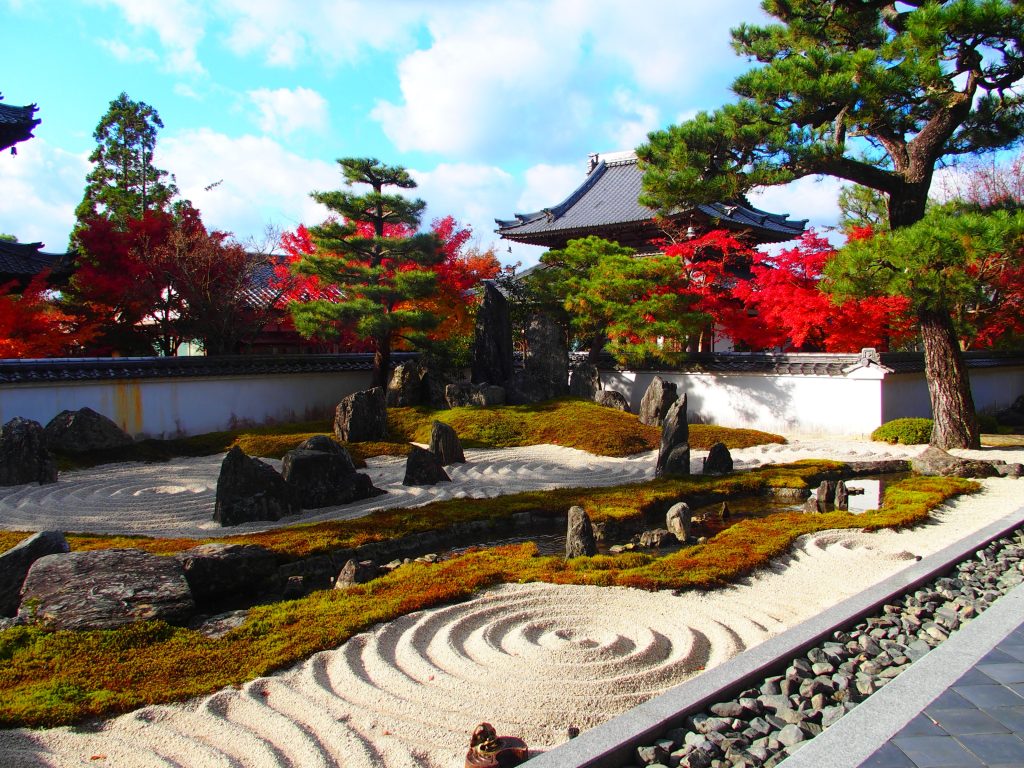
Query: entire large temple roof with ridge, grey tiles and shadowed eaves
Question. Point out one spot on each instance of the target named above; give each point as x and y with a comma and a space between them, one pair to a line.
607, 205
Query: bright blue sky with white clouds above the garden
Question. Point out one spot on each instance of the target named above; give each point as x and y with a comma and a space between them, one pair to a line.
493, 106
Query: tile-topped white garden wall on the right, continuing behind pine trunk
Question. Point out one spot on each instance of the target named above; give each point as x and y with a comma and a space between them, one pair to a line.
818, 395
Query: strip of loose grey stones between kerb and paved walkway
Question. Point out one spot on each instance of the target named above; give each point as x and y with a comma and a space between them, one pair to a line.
770, 721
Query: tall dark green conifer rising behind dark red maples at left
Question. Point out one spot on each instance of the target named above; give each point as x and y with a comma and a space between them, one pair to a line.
123, 184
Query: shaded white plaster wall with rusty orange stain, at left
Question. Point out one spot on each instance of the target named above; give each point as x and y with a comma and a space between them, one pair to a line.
168, 408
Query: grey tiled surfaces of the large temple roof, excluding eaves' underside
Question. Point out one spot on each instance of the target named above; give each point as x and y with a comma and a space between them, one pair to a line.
610, 197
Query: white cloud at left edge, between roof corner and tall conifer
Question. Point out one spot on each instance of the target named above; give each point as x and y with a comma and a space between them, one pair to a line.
42, 185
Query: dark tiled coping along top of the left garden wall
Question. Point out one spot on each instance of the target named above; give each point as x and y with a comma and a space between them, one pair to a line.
105, 369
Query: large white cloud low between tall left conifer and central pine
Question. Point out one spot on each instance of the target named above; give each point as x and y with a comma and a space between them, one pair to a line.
262, 183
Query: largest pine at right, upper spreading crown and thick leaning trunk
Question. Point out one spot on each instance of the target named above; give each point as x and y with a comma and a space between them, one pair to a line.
877, 94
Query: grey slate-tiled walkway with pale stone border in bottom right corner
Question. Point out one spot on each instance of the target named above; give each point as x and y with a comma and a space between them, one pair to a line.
960, 707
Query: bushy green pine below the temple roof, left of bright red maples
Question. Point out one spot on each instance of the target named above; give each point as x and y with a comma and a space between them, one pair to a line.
639, 305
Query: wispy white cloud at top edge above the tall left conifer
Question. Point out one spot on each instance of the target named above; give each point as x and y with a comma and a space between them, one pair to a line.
179, 25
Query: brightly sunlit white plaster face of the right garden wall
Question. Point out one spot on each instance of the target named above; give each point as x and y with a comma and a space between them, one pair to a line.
806, 405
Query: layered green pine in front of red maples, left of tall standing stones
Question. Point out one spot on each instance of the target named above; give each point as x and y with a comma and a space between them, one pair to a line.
375, 259
